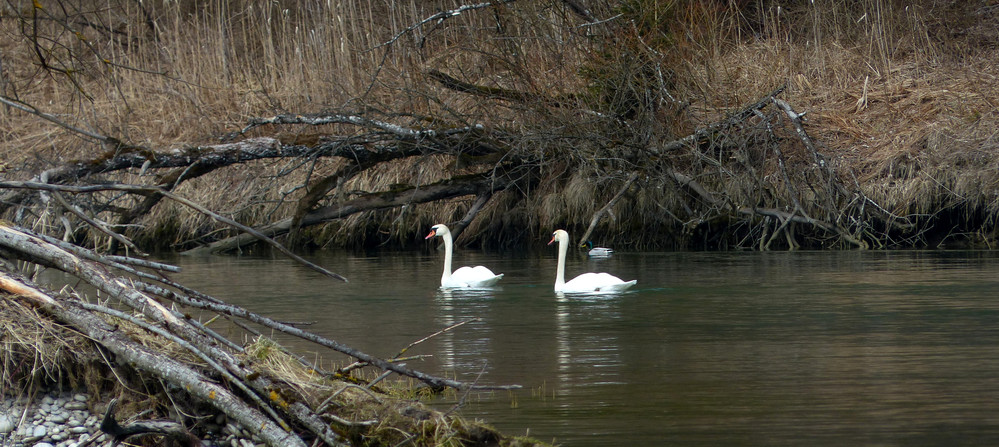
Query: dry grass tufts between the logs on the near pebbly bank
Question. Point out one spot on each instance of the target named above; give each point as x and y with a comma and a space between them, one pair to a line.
36, 353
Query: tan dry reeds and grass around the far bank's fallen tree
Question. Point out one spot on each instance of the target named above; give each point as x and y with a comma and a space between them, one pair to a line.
899, 94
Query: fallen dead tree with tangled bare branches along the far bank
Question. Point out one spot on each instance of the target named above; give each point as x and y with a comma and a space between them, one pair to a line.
703, 166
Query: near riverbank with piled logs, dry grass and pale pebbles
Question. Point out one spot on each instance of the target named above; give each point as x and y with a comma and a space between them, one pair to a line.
173, 373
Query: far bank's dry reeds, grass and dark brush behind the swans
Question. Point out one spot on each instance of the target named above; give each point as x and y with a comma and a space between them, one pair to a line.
559, 101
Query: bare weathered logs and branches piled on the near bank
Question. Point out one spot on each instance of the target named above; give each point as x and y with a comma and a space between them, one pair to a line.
263, 404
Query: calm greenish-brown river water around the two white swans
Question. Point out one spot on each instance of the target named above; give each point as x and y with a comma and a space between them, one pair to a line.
803, 348
